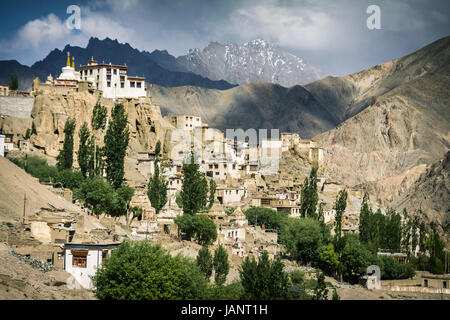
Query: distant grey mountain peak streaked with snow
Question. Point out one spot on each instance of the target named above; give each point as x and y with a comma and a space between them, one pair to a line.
256, 60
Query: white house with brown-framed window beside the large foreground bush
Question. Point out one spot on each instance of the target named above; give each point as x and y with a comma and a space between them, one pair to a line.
83, 260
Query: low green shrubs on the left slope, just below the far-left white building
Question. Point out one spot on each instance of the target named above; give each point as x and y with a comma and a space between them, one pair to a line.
37, 167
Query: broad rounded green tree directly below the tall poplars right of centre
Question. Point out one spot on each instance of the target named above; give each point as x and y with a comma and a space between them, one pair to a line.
302, 239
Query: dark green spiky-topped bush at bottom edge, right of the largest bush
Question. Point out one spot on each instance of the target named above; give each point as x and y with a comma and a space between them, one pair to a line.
264, 280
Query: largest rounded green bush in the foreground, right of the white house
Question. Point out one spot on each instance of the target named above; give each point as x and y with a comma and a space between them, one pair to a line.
143, 271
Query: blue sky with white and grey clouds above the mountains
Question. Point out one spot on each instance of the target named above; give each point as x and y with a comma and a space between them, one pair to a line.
331, 35
